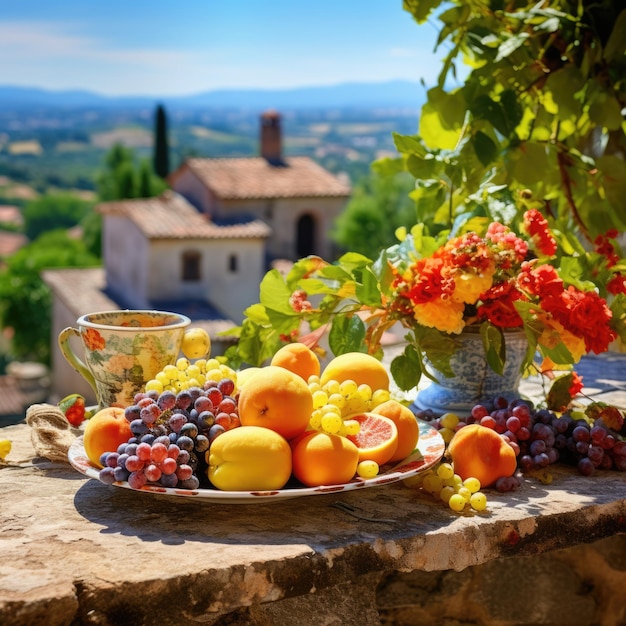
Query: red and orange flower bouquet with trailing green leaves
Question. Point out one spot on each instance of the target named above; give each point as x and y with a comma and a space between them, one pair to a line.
568, 300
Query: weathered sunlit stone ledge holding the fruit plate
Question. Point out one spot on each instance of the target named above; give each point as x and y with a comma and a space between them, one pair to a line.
92, 550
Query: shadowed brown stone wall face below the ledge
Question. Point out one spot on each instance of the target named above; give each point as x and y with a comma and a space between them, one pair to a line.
582, 585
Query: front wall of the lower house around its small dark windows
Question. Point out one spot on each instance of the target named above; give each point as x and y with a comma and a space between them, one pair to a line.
230, 291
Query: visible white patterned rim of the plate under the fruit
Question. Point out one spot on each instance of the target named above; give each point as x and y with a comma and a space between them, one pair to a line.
430, 449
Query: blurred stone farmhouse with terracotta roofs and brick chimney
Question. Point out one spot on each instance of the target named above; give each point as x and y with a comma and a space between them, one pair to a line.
203, 246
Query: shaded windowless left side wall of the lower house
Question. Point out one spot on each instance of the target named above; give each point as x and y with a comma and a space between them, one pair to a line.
127, 262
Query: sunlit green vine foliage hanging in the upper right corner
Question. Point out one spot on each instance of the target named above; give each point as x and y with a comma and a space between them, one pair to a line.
539, 119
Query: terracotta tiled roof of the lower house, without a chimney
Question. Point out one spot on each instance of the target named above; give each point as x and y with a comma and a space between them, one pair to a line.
170, 216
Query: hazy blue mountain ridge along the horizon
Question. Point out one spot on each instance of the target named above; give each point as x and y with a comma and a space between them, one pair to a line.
392, 94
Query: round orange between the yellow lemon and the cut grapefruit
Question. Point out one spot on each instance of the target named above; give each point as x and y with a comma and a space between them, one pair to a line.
323, 459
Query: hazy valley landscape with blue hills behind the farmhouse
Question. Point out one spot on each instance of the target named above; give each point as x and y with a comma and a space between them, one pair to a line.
58, 140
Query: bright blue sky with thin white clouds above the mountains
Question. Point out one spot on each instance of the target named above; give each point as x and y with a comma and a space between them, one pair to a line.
137, 47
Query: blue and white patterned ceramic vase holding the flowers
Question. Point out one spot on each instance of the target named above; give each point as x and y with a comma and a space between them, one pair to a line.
474, 382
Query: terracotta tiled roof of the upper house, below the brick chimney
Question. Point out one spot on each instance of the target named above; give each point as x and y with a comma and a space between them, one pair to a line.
252, 178
